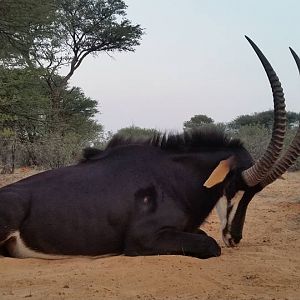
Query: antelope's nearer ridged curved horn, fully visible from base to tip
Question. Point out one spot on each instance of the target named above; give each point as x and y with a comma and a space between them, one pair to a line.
260, 169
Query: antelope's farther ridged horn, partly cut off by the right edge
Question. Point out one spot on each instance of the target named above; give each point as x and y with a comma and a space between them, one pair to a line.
293, 151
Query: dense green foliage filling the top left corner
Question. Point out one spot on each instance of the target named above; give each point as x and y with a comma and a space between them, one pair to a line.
24, 24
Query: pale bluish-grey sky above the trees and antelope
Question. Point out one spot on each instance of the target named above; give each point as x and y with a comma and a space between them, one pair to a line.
194, 59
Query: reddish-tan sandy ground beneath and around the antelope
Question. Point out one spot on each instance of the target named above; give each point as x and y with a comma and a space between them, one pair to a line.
266, 264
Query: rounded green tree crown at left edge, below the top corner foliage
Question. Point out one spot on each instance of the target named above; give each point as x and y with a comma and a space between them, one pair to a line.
23, 101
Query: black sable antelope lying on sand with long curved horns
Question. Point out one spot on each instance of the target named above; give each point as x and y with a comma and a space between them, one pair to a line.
145, 197
